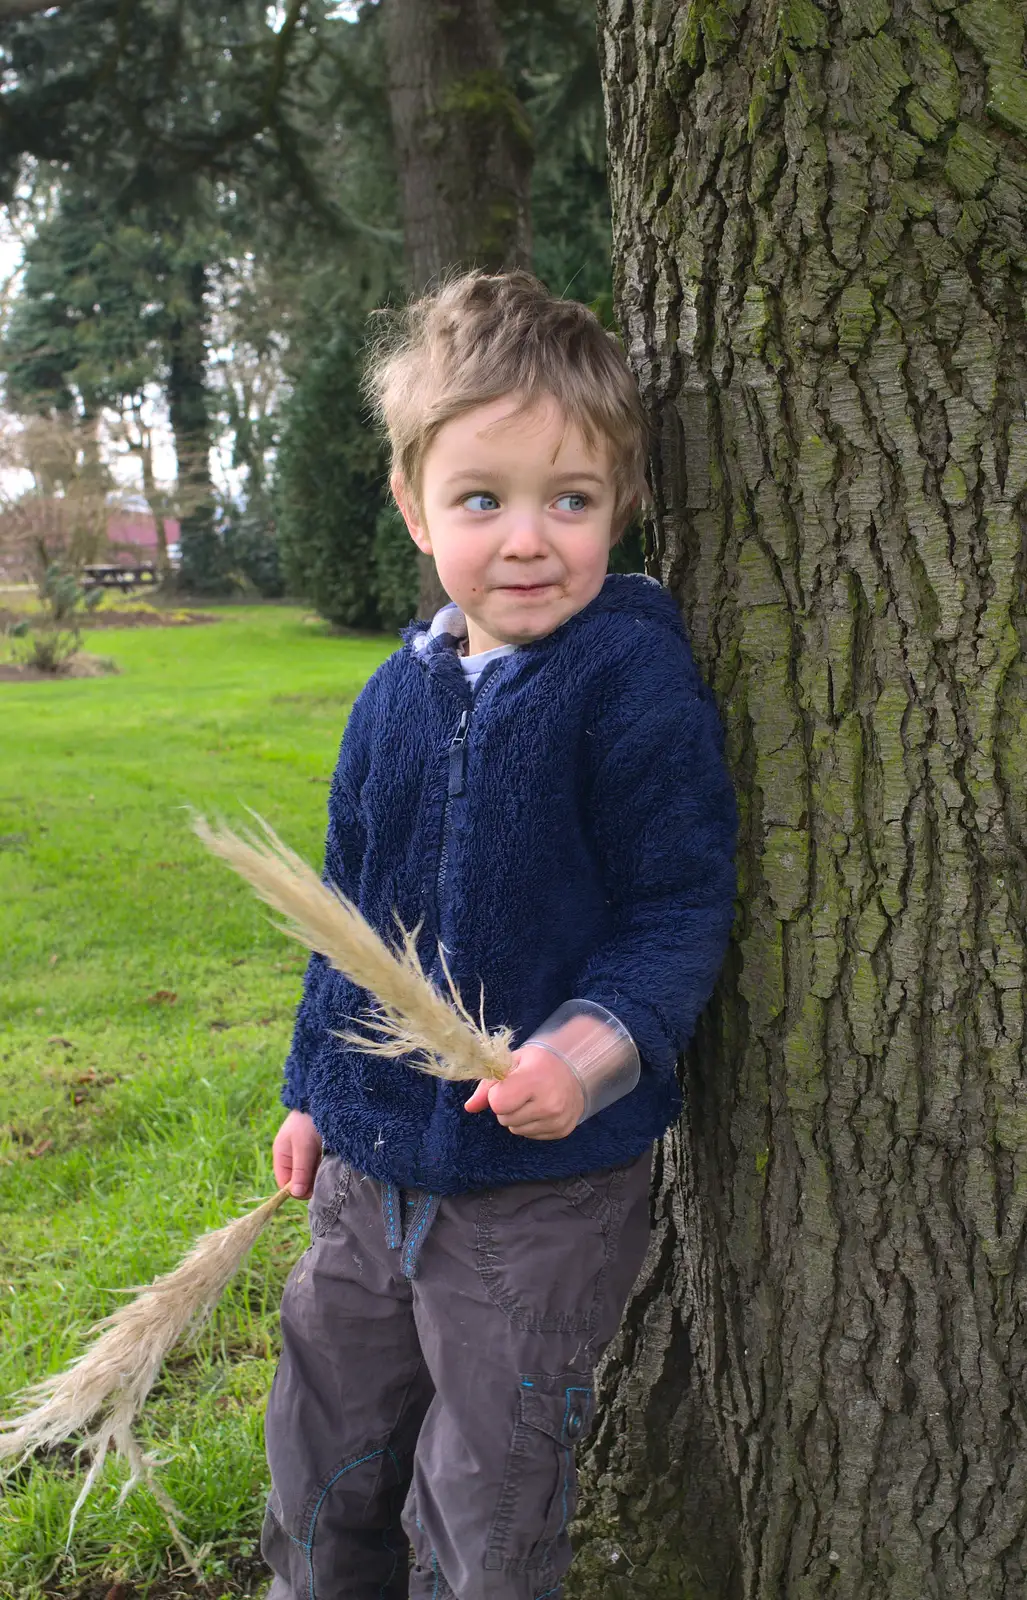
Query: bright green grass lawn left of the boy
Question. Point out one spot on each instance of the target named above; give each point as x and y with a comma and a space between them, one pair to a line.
145, 1014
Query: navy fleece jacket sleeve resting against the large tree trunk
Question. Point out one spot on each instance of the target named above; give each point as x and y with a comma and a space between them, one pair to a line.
665, 826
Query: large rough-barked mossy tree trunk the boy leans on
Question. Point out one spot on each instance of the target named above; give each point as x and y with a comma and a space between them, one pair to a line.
820, 239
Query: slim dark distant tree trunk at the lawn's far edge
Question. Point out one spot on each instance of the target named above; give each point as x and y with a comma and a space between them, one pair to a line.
188, 409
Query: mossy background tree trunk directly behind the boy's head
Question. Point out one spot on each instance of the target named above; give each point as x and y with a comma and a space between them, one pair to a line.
465, 153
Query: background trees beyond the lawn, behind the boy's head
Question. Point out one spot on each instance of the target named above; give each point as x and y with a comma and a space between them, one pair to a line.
220, 199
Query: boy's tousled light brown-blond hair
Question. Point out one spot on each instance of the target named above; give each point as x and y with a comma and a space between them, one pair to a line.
486, 335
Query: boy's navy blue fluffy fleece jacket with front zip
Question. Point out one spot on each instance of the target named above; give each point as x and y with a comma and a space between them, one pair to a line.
569, 833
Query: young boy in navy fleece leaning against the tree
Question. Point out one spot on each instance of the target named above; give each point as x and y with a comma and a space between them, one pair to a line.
537, 782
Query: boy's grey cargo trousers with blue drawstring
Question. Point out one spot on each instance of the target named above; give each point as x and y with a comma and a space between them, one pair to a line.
436, 1378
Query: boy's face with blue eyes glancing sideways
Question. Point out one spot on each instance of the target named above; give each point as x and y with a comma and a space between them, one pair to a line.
517, 513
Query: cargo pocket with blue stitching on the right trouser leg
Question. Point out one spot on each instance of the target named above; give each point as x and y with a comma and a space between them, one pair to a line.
540, 1484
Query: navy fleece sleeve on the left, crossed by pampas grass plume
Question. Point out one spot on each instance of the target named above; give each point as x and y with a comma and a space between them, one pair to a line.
329, 999
